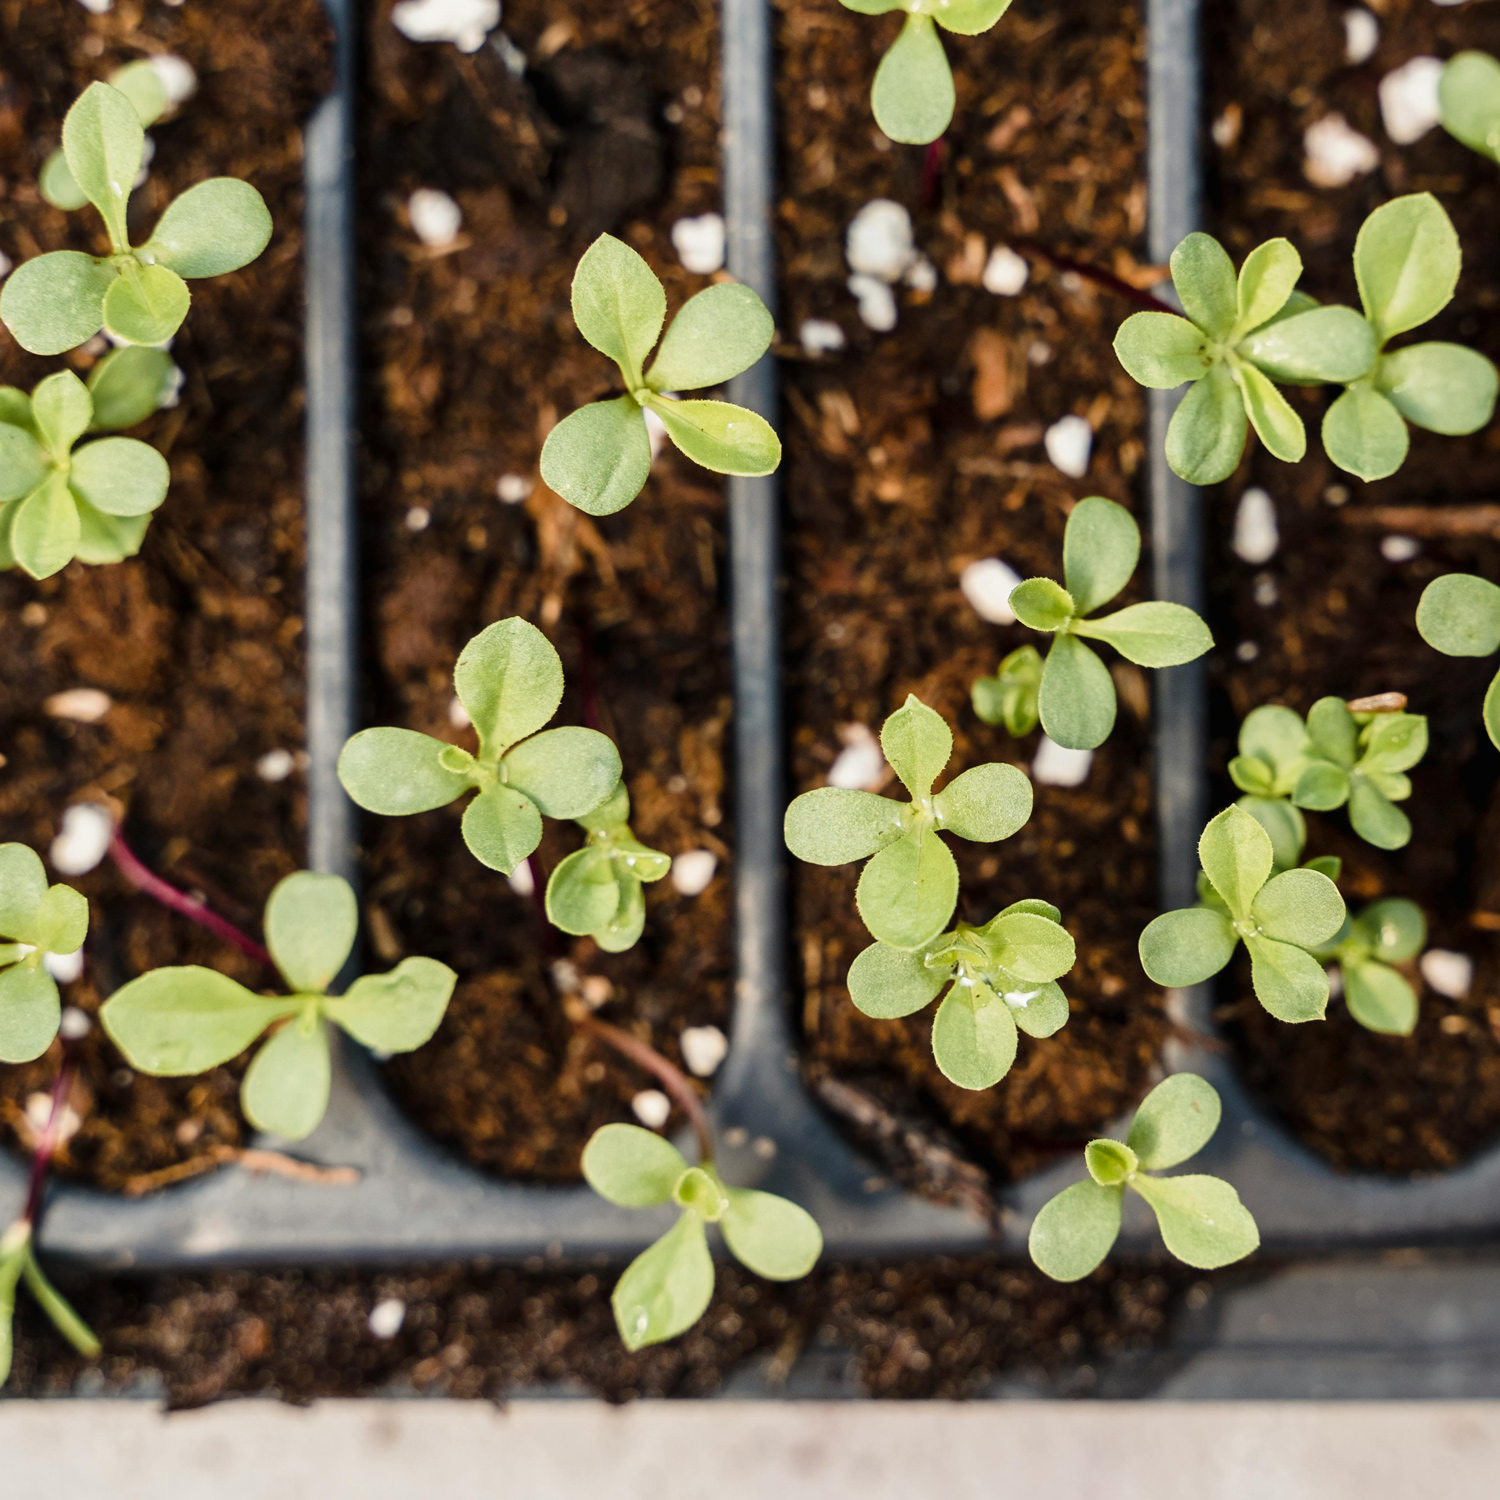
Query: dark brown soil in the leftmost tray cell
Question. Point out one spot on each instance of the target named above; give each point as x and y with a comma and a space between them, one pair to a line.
199, 641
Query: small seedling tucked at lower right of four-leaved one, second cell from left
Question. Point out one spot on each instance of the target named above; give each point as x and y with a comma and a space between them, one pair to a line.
596, 892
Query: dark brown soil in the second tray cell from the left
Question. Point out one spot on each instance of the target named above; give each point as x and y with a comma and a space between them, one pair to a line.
472, 356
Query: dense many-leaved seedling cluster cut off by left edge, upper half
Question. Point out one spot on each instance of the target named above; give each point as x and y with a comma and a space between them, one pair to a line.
95, 505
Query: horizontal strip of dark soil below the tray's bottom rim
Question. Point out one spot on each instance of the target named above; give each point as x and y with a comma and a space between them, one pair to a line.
937, 1328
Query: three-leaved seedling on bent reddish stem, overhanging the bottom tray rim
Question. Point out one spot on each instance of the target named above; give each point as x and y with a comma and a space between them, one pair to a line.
667, 1289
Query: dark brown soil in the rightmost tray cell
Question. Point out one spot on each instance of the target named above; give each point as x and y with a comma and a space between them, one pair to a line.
1331, 613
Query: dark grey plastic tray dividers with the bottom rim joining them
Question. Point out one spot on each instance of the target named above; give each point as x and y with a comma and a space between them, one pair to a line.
415, 1201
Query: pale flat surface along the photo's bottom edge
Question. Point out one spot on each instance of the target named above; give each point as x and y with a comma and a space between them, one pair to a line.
742, 1450
